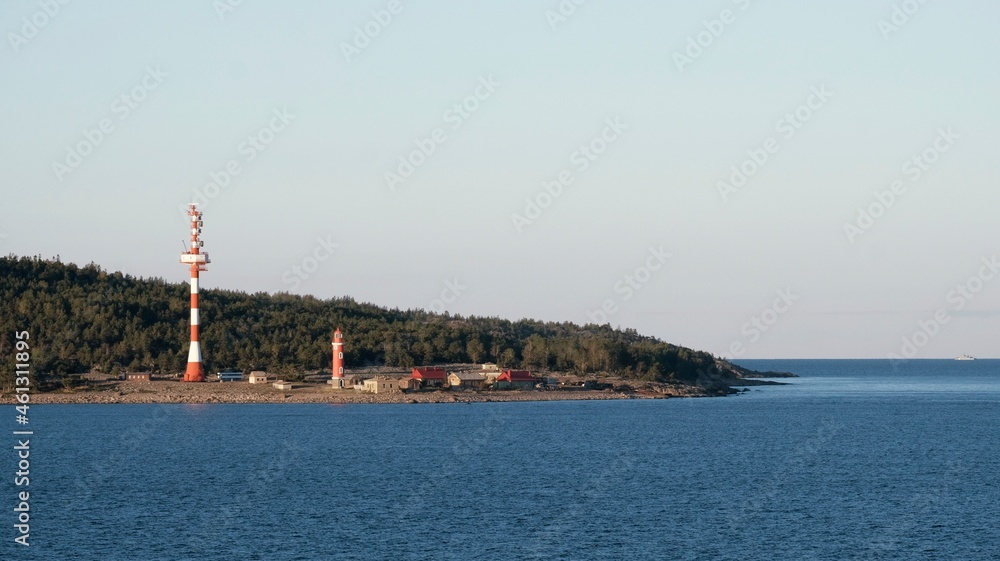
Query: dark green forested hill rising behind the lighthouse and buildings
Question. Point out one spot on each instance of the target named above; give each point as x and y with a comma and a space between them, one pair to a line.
86, 319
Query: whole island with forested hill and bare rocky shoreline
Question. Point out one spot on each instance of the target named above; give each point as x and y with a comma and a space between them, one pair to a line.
109, 337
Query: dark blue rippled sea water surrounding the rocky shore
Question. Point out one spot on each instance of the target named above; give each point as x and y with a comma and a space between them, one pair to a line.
853, 460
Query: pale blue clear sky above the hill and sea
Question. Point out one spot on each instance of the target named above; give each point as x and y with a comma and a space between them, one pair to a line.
754, 179
